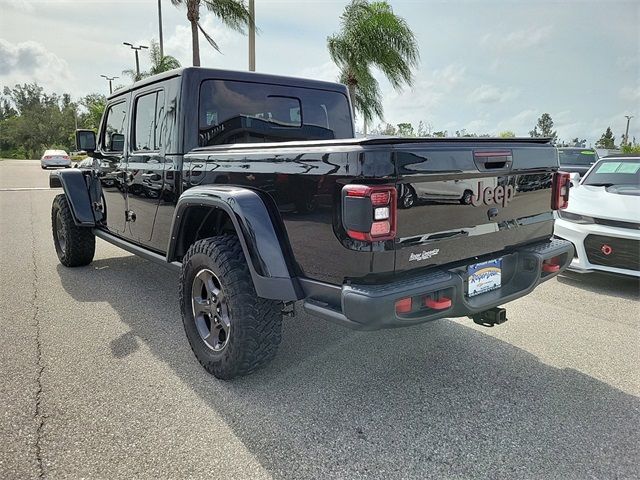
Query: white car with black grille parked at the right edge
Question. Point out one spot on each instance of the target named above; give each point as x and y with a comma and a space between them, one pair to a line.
603, 217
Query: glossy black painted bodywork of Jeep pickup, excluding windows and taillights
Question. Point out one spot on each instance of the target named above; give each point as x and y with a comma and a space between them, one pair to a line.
284, 199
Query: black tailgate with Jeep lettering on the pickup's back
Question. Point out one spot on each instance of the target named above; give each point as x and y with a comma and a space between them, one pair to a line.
464, 200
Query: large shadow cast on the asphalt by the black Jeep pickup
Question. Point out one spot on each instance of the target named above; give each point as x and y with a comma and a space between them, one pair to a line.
438, 400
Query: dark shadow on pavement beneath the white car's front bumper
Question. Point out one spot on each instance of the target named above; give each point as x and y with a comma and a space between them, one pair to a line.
614, 285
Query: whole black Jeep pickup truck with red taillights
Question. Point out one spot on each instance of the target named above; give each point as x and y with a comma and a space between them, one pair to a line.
256, 189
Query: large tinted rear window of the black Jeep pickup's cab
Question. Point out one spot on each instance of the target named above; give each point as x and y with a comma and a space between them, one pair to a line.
240, 112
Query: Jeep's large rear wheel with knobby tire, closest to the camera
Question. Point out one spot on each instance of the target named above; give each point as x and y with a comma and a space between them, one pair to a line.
231, 330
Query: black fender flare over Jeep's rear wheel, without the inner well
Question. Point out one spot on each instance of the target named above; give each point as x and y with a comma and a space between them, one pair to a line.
263, 241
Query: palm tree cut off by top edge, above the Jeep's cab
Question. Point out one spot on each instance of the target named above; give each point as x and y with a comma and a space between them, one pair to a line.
233, 13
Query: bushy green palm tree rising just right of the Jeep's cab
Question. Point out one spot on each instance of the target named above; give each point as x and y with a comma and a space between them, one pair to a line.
371, 35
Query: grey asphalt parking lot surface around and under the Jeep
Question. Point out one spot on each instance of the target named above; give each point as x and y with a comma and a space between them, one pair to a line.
97, 379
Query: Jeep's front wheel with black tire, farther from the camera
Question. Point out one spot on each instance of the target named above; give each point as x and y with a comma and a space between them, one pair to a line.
74, 245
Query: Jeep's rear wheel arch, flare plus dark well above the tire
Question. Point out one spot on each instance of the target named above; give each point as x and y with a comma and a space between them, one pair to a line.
217, 209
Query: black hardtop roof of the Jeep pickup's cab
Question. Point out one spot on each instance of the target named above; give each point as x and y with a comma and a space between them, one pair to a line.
201, 73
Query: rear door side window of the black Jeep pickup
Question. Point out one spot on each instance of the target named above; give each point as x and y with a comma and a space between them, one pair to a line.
148, 122
